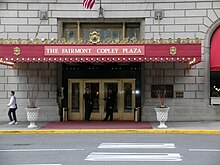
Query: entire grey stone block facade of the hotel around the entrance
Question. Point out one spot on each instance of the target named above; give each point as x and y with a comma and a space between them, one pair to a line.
181, 19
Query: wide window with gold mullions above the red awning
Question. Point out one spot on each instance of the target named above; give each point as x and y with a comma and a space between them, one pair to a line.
106, 30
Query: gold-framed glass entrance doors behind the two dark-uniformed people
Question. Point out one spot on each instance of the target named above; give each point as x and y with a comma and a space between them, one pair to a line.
123, 90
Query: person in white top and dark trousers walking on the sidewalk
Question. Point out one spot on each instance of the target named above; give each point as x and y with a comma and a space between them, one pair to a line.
12, 109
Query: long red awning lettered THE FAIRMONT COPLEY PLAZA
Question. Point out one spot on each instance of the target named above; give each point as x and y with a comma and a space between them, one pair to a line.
190, 52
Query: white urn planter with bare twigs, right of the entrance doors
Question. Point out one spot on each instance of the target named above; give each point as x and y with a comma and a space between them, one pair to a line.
162, 110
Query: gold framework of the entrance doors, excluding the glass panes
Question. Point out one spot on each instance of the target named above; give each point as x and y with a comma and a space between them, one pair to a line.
120, 115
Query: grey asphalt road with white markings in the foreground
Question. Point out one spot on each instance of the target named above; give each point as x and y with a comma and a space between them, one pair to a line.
108, 149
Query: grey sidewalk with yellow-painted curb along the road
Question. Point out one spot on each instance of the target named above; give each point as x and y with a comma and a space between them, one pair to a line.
202, 127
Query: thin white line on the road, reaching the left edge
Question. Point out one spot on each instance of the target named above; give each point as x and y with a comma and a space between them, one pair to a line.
39, 150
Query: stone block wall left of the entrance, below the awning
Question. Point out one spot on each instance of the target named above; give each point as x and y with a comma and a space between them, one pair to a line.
32, 78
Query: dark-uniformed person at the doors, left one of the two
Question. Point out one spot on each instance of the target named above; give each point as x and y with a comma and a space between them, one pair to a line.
88, 103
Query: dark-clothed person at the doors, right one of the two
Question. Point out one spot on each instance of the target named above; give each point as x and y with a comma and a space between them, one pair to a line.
109, 105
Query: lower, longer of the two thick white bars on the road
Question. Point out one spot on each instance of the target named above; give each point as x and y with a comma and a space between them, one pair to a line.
108, 156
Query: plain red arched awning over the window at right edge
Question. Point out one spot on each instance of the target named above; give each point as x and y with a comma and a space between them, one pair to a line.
215, 51
